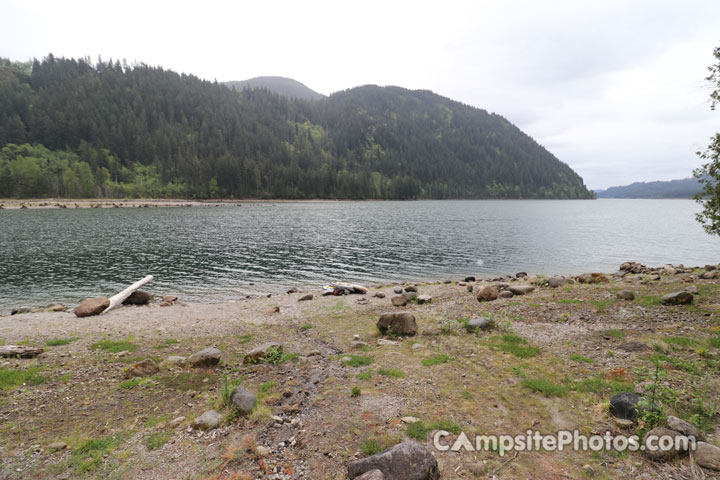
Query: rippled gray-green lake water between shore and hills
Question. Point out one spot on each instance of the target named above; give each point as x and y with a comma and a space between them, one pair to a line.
217, 252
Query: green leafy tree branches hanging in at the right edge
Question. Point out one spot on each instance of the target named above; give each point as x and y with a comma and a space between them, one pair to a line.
709, 173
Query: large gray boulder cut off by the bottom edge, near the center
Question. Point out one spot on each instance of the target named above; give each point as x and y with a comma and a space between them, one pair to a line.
406, 461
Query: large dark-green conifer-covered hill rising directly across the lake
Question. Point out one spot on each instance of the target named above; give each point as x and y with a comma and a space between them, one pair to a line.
69, 128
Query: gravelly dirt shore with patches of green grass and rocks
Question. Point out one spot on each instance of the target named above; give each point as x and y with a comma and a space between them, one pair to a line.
552, 361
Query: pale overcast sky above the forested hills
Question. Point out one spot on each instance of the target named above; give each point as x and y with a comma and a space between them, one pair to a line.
613, 88
